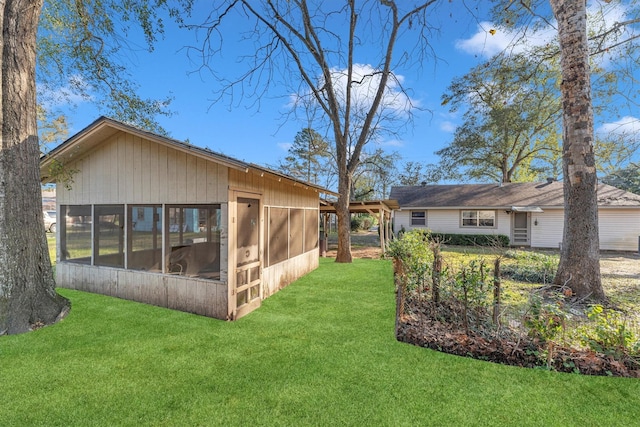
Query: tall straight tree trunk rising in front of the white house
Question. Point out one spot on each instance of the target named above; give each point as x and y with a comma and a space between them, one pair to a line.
580, 255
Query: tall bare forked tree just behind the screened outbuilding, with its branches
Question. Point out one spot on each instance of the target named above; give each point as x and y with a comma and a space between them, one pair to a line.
319, 43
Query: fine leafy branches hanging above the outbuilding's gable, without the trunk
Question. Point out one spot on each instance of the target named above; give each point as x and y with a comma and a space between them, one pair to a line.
80, 49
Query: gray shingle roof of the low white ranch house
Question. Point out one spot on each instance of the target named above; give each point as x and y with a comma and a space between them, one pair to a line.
541, 194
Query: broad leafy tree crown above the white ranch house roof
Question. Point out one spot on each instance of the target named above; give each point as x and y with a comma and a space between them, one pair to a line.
510, 122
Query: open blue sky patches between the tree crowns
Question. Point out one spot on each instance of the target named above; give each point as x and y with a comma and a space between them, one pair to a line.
260, 134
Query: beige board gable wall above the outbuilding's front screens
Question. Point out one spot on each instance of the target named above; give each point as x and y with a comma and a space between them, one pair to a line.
129, 169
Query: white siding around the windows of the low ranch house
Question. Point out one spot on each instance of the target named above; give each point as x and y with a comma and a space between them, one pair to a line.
448, 221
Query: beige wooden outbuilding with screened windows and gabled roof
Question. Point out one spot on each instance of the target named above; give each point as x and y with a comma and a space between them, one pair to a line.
155, 220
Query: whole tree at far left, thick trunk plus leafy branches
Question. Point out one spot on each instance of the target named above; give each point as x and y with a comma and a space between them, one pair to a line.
27, 290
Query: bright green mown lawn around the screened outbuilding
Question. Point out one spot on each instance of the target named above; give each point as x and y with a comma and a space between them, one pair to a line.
320, 352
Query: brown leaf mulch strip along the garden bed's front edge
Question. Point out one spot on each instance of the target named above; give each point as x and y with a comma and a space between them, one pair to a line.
440, 328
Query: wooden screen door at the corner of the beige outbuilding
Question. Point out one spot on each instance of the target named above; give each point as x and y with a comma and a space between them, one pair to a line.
246, 292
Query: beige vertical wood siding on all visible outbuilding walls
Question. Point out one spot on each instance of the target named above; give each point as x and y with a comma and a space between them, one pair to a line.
128, 169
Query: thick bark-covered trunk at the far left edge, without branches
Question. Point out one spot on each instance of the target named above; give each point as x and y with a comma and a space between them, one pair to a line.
27, 290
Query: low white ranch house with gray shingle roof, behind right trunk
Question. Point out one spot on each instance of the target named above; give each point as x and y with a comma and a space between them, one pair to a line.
530, 214
